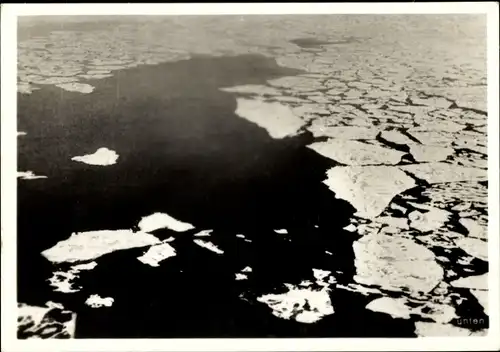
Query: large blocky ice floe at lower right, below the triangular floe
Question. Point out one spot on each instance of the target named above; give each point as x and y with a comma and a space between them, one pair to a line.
395, 263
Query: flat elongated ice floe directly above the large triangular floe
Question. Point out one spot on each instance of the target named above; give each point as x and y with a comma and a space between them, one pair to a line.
356, 153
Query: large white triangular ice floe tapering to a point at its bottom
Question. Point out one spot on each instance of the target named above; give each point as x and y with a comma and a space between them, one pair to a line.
369, 189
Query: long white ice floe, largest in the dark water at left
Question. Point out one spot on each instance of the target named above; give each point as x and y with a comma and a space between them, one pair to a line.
90, 245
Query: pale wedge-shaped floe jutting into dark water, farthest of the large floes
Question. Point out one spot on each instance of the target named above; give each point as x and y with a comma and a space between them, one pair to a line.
277, 119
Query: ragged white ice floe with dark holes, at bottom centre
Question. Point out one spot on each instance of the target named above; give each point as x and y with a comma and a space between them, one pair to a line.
303, 305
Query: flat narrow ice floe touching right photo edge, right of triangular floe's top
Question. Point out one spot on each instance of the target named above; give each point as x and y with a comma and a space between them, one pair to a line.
444, 172
